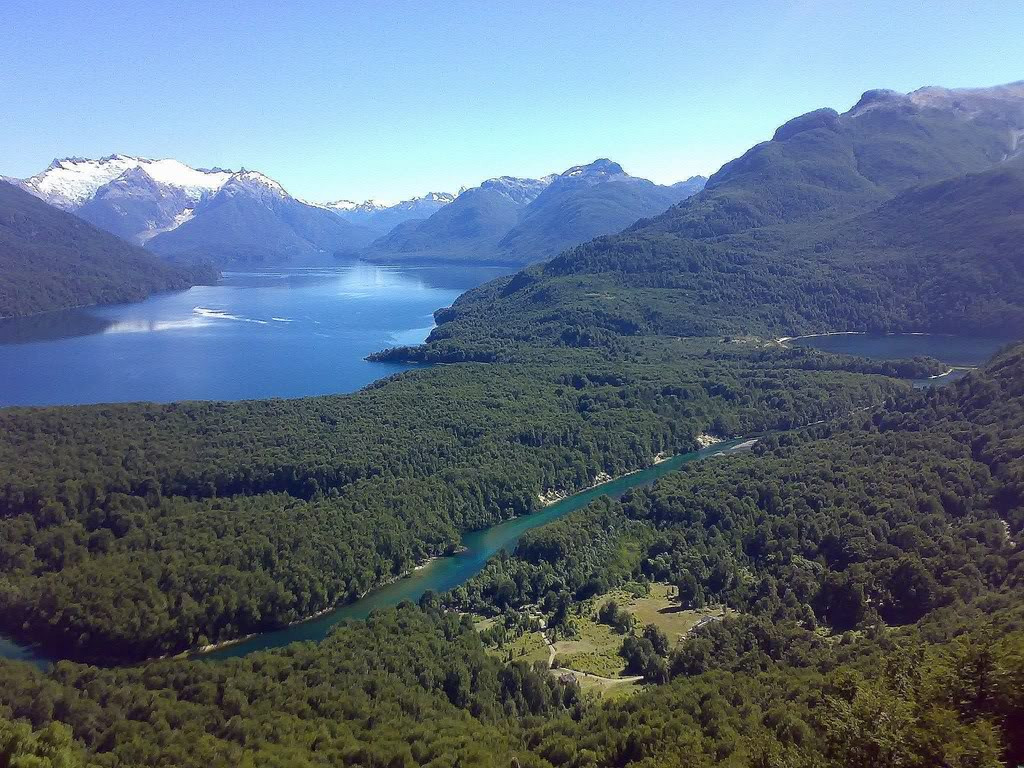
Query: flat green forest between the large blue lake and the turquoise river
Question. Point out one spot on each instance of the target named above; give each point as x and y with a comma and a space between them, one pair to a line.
139, 531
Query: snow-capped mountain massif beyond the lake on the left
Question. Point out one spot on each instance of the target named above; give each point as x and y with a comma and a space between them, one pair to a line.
193, 214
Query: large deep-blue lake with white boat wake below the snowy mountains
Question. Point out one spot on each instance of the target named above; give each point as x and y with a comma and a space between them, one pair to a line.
284, 333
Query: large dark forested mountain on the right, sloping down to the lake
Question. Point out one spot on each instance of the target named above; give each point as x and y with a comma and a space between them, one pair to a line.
904, 215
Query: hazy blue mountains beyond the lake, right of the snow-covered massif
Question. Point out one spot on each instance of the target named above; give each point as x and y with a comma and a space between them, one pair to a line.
518, 222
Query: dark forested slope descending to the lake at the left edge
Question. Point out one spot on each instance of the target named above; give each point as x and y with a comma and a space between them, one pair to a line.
52, 261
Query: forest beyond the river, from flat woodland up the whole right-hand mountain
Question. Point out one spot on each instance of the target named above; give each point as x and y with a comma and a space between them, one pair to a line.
139, 531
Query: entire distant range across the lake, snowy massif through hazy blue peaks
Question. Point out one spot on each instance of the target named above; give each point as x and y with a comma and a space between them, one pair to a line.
245, 219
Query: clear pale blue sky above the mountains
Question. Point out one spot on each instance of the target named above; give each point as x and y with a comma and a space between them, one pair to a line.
390, 100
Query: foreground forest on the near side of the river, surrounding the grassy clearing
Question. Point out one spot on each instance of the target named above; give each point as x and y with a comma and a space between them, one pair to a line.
880, 624
